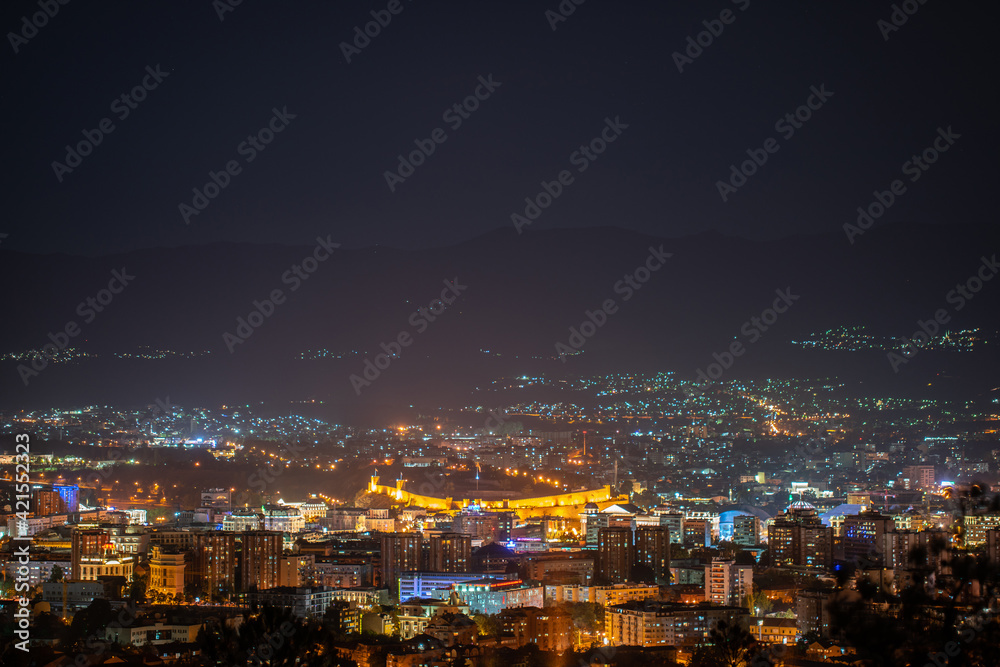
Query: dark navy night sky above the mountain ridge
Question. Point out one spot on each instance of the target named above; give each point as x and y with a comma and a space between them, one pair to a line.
324, 172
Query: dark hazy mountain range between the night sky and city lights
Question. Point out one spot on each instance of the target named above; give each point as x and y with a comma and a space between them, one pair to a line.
523, 293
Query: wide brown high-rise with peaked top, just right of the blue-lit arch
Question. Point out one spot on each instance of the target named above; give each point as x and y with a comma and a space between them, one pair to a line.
798, 538
